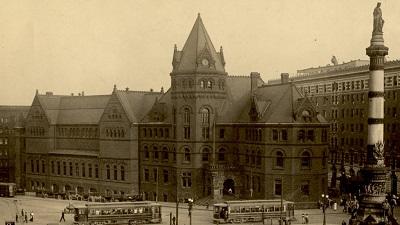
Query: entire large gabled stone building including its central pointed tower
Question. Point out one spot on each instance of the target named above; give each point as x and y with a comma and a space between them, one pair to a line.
210, 134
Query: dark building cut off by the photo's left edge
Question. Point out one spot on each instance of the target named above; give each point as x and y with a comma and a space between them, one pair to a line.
12, 143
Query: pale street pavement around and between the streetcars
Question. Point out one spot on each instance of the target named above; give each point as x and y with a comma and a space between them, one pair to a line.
48, 211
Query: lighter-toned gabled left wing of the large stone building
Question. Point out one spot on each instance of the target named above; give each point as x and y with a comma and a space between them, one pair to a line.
84, 144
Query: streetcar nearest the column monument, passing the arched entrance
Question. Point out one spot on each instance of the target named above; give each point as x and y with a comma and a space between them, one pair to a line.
253, 211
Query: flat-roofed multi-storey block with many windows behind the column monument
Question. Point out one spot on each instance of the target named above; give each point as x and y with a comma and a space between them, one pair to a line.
341, 95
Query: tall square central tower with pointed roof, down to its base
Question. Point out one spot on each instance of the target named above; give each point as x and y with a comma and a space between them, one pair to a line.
198, 93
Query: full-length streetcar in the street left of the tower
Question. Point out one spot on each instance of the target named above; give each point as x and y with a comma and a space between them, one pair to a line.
113, 213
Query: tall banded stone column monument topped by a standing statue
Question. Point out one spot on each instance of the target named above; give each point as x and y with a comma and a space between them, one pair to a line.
373, 194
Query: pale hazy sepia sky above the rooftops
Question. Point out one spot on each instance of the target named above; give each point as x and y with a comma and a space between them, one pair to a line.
69, 46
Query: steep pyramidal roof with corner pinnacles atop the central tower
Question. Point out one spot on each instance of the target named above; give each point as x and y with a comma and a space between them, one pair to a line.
197, 48
